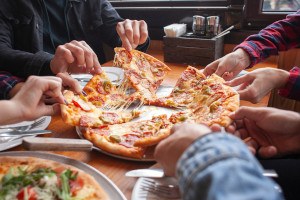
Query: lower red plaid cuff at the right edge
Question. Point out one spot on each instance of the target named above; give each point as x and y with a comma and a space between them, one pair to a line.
292, 87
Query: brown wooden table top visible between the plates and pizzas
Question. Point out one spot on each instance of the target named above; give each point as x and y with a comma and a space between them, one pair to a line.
115, 168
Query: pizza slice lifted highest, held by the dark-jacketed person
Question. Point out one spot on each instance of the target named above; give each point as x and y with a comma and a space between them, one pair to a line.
144, 72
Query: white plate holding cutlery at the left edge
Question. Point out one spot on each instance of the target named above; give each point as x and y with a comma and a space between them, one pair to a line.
6, 144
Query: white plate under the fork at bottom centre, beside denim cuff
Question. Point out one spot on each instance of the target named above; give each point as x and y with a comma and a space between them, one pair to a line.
139, 194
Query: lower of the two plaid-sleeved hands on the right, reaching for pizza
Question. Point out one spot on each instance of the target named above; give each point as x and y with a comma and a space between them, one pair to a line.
258, 83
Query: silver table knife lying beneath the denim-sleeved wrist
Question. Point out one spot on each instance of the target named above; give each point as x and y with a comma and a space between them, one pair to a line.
159, 173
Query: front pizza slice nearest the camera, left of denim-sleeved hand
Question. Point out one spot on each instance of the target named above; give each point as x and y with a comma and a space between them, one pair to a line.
129, 139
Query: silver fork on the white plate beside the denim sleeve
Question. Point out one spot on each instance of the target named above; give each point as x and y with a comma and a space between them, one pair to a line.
161, 190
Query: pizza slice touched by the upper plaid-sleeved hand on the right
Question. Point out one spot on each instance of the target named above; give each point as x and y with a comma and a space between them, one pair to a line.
184, 91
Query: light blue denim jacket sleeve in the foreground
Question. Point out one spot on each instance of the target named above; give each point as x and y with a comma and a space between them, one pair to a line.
219, 166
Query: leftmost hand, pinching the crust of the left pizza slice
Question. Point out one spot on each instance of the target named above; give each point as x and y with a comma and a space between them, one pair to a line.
29, 101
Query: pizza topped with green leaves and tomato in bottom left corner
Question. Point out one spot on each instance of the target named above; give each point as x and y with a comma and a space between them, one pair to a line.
33, 178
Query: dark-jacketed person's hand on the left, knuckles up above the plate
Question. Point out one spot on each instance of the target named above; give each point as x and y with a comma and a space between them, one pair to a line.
75, 57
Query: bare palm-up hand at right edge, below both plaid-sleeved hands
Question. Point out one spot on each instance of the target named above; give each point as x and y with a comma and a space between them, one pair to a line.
273, 132
